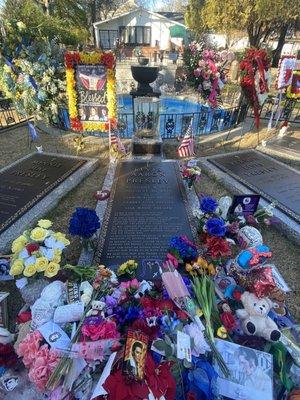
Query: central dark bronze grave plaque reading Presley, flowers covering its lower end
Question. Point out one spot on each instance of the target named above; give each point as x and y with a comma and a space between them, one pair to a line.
147, 207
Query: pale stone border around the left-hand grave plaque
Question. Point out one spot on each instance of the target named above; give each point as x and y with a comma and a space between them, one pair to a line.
48, 202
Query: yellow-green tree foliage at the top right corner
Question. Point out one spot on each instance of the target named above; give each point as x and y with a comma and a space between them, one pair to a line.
259, 18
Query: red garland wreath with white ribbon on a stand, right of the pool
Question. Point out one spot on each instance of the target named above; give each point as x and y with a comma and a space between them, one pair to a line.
254, 81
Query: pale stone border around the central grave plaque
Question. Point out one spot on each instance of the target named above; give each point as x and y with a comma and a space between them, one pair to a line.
190, 200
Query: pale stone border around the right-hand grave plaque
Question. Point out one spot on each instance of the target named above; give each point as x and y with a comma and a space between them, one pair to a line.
286, 225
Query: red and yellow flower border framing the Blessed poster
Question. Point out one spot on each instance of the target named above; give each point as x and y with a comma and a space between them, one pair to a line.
73, 58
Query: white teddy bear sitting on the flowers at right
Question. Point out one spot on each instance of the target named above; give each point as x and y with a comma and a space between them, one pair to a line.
254, 317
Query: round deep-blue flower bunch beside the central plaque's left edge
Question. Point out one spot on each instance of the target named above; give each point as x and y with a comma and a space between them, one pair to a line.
84, 222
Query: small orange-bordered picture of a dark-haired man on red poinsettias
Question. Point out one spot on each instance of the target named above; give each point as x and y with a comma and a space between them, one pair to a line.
135, 355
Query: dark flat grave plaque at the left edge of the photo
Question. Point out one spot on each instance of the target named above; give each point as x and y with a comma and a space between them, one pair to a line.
26, 182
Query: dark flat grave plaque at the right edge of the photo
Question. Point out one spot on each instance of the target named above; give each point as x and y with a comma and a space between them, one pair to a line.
272, 179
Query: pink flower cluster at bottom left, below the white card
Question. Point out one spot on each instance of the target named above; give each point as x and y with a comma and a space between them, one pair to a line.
43, 366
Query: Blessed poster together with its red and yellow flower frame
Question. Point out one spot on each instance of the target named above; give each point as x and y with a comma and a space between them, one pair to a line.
91, 88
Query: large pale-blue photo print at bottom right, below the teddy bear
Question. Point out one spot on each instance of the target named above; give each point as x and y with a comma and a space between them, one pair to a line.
251, 372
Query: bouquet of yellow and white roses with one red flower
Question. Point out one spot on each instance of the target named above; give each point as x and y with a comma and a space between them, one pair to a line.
38, 252
